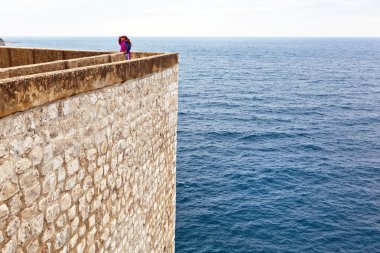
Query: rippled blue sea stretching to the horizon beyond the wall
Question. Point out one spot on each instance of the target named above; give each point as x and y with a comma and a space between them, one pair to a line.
278, 141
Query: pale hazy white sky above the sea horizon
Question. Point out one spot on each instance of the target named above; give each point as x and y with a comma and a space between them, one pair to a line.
190, 18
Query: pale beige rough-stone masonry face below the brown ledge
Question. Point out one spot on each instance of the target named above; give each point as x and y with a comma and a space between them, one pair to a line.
93, 172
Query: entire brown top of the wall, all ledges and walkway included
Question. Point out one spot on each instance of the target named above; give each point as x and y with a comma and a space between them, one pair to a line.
38, 76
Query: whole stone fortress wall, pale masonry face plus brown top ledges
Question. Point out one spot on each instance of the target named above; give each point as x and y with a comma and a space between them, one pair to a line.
87, 151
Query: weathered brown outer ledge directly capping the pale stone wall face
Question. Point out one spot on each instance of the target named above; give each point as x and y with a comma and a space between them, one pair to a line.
22, 93
